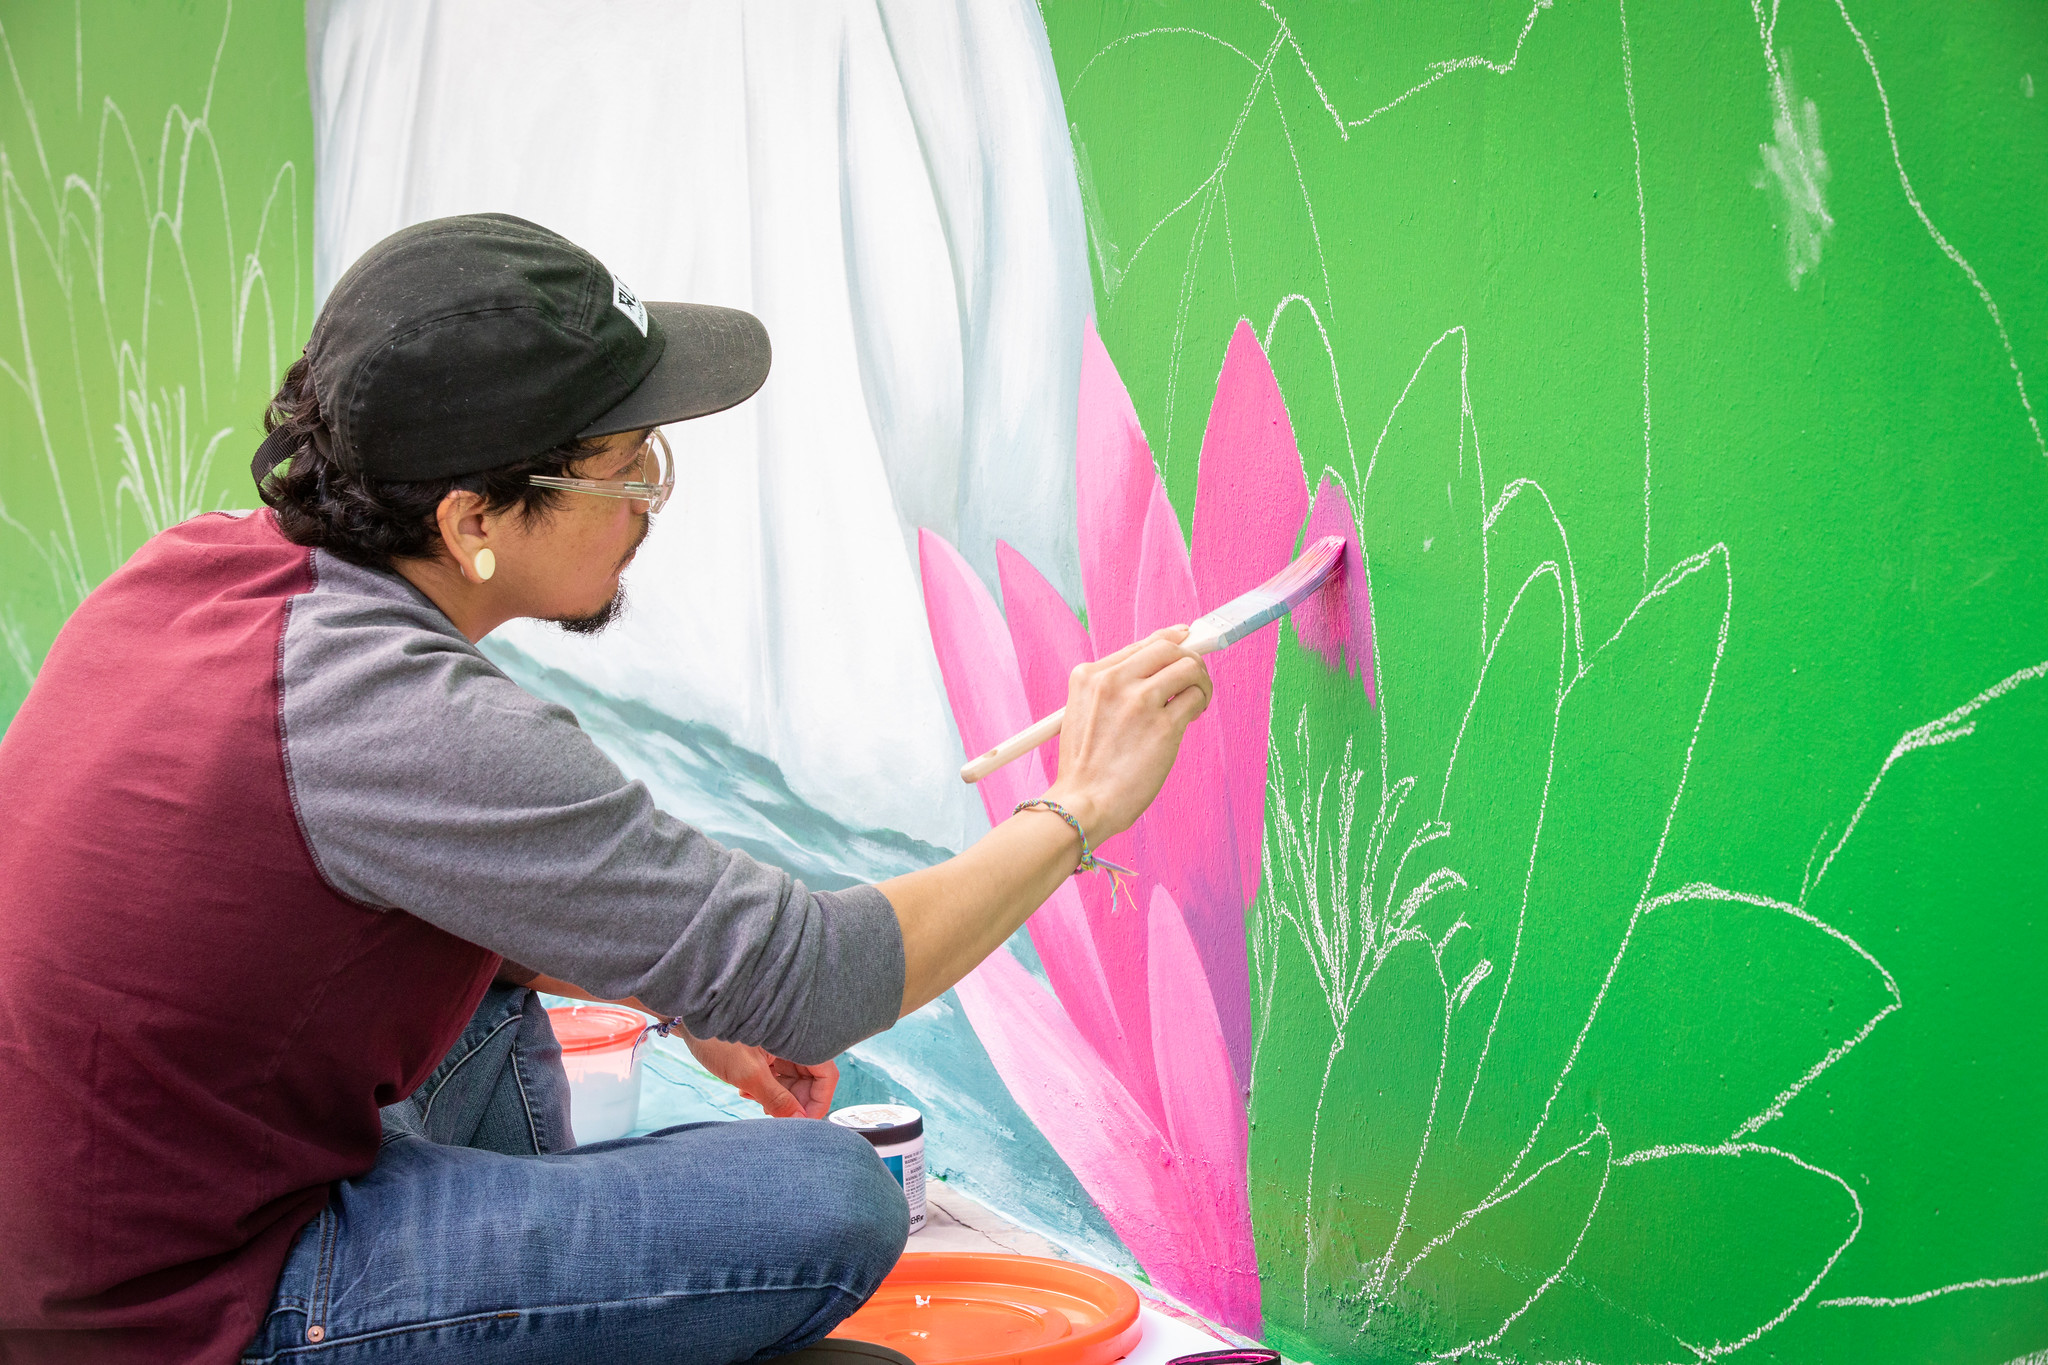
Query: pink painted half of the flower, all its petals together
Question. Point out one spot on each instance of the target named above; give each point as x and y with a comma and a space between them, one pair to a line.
1138, 1059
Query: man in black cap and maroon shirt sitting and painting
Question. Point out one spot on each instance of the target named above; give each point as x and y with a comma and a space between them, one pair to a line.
280, 840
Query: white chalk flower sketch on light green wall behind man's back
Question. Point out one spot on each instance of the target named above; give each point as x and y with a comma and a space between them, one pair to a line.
144, 310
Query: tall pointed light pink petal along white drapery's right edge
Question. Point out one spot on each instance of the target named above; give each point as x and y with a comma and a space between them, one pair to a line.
1113, 482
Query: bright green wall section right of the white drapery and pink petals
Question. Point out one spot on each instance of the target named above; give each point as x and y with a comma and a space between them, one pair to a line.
1654, 975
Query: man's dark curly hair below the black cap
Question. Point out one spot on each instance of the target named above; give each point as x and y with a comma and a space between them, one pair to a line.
376, 521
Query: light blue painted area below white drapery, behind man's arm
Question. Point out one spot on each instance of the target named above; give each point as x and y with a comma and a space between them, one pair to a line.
978, 1139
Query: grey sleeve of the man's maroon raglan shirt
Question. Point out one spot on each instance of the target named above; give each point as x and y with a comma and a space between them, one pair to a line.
431, 783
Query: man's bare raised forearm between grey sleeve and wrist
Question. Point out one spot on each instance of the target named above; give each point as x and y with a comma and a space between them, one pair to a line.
959, 912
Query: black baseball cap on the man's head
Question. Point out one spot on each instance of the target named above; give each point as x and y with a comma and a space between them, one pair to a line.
472, 343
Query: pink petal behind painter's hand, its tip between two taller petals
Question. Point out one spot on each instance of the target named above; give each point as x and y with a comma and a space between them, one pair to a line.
1187, 840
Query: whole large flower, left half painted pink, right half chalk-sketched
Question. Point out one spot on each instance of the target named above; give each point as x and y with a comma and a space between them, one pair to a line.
1517, 1092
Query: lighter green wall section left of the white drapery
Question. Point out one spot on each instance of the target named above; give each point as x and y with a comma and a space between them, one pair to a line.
157, 195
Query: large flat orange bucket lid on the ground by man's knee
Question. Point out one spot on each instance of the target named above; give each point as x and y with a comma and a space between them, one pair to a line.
966, 1309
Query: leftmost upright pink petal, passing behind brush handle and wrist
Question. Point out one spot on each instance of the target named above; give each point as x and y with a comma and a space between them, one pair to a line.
980, 670
